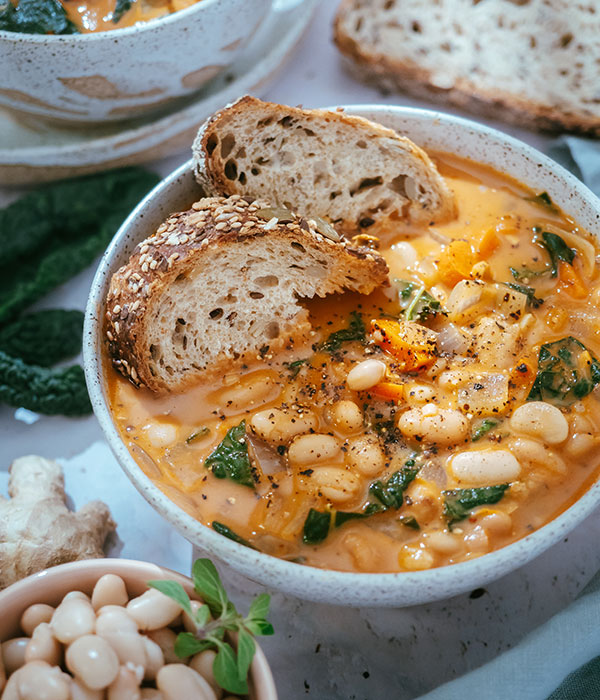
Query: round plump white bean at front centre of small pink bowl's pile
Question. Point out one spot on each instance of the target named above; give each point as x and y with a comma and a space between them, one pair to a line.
91, 659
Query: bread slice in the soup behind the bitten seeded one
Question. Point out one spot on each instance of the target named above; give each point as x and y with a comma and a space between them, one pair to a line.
345, 169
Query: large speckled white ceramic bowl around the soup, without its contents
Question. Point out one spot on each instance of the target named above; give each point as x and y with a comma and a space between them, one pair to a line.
433, 131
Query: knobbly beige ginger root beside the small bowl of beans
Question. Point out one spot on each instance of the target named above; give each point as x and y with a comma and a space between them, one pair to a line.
37, 530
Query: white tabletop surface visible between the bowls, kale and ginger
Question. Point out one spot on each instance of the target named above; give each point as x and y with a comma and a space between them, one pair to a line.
319, 651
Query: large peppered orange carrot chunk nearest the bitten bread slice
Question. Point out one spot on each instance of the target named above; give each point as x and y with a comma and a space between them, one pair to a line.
410, 343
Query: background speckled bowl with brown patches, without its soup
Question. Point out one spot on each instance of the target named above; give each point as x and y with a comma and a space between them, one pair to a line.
125, 72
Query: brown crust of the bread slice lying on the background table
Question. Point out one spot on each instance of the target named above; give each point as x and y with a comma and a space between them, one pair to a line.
408, 77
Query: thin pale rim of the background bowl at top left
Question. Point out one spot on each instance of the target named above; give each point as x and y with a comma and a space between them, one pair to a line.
21, 37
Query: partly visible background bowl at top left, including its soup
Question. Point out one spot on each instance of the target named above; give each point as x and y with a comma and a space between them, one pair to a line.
116, 59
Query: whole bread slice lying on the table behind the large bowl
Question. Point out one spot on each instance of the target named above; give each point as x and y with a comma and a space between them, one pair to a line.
535, 63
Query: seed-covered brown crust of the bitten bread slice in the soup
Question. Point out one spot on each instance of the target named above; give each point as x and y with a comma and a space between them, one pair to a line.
180, 244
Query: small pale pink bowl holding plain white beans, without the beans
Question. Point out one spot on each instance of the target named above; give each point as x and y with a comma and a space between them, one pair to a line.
51, 585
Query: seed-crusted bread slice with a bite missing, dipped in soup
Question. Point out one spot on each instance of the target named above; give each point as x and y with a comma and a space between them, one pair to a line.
220, 283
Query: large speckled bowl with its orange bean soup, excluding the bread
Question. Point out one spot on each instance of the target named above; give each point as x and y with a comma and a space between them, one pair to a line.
389, 484
